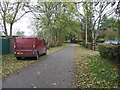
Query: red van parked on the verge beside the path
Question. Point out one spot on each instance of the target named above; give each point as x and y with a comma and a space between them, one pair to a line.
29, 47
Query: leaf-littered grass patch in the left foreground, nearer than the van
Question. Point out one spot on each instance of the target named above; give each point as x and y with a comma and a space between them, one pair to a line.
10, 65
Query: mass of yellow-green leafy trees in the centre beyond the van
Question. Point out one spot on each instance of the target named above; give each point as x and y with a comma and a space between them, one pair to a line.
56, 21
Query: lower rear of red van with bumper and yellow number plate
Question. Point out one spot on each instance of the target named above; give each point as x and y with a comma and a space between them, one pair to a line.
25, 53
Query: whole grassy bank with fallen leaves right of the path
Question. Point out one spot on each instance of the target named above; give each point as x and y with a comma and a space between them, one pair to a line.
92, 71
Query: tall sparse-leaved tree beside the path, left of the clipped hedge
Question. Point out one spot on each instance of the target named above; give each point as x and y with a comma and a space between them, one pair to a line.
92, 17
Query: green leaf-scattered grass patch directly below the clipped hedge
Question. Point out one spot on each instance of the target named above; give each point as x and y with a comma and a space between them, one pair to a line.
103, 73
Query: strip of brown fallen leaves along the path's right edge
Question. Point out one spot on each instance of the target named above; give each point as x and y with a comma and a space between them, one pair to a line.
83, 75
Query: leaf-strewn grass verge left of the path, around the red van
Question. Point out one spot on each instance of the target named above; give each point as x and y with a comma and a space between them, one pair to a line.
11, 65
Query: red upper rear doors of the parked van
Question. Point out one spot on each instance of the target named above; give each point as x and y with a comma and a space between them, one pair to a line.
24, 43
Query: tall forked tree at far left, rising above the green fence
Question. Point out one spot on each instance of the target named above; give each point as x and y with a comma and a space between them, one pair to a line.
11, 12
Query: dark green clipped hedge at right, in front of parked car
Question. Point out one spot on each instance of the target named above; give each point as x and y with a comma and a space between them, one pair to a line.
109, 51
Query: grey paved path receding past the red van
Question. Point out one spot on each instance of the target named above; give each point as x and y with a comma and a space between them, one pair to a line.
52, 71
